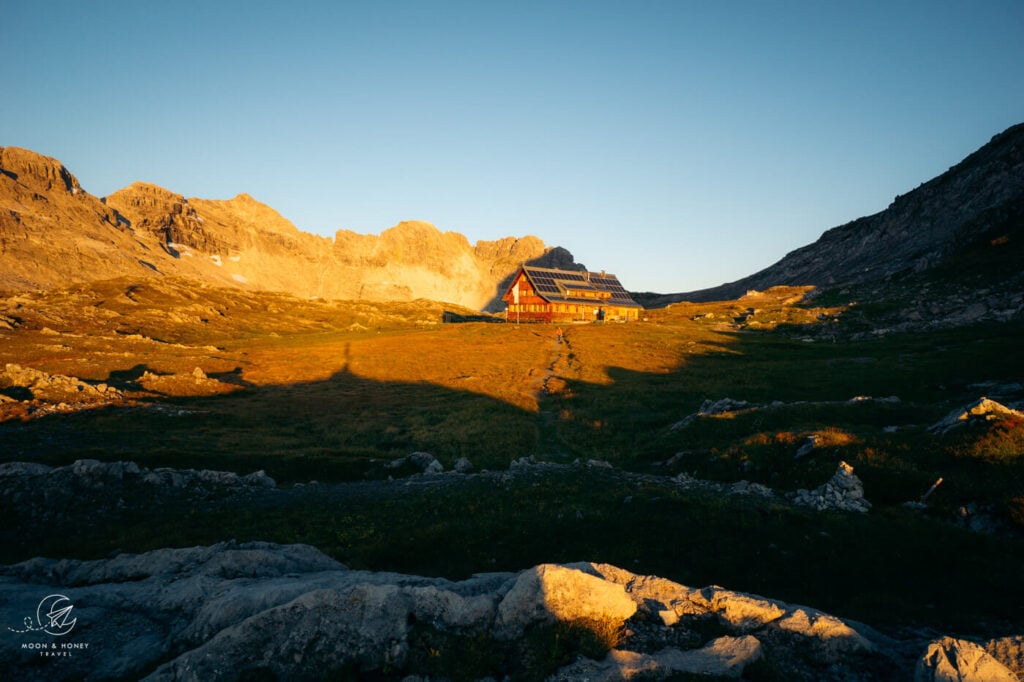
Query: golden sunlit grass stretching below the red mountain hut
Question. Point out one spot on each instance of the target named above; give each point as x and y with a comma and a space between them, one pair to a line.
105, 329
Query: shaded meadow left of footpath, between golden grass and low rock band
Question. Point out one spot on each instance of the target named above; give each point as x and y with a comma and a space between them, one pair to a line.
342, 429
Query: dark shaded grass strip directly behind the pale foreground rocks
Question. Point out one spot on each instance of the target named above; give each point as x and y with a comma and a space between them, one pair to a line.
891, 568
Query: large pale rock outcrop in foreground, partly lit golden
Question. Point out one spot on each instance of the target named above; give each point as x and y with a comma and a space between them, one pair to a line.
271, 612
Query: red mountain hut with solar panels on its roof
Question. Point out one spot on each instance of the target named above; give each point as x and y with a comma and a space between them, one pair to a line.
542, 294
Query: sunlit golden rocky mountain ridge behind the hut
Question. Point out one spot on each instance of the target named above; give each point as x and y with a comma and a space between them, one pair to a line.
54, 234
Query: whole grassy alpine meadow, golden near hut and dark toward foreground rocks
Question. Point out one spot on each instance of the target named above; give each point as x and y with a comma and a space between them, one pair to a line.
333, 392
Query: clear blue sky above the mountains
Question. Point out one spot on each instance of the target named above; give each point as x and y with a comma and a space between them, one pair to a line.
679, 145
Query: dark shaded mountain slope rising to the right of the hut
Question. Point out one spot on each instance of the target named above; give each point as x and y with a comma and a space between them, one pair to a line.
978, 200
